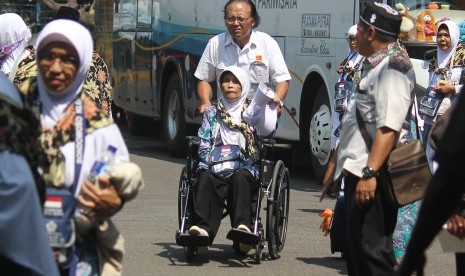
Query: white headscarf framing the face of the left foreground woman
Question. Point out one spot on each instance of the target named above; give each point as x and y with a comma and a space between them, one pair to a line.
73, 33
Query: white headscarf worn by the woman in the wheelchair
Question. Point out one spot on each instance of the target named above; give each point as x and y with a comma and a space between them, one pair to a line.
234, 108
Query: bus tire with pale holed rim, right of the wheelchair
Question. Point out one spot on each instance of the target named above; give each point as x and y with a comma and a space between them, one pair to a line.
319, 133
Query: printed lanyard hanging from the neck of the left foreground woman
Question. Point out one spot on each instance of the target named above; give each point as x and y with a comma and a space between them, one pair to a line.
79, 143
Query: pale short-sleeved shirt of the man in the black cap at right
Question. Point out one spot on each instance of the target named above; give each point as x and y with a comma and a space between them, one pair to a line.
383, 99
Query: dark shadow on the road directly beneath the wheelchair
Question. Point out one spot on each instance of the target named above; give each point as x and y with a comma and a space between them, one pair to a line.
223, 254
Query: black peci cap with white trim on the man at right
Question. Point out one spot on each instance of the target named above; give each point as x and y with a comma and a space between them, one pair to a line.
382, 17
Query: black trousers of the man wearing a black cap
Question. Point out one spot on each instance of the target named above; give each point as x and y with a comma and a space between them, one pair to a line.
369, 233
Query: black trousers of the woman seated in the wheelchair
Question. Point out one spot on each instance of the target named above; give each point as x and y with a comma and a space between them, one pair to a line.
210, 194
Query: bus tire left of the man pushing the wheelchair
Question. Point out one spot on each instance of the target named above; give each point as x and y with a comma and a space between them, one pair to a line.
174, 125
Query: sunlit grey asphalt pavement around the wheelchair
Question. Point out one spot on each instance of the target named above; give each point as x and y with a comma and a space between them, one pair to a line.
149, 222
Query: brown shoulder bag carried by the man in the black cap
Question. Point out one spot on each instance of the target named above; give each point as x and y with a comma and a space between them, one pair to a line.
407, 168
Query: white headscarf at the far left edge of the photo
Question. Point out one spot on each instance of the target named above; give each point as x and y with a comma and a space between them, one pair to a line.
15, 34
